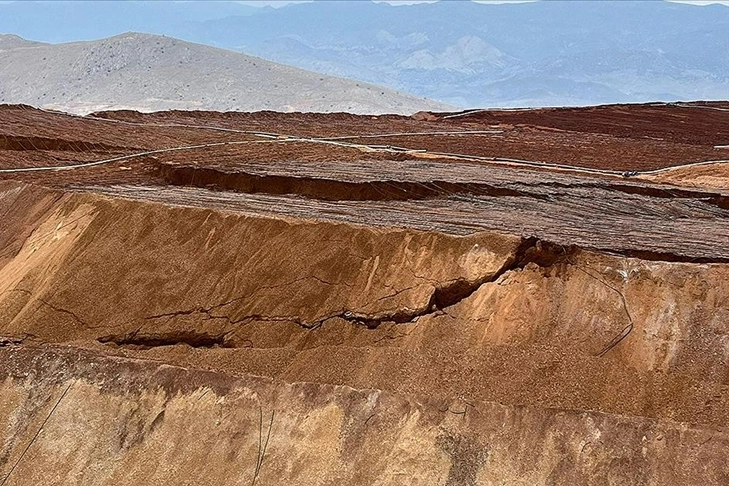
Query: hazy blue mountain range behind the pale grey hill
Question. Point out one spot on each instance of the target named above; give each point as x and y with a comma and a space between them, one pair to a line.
459, 52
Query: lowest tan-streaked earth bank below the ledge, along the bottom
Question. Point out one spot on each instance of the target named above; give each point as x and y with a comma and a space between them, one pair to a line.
75, 417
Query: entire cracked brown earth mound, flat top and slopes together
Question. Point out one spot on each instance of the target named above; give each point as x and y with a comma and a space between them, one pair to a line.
524, 297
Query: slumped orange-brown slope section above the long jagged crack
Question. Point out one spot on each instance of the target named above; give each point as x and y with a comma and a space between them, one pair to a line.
126, 266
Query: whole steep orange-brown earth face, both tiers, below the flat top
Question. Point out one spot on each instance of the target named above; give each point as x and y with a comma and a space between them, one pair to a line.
385, 356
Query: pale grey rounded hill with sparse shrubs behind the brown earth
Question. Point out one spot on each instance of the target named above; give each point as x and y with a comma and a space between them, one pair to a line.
148, 72
